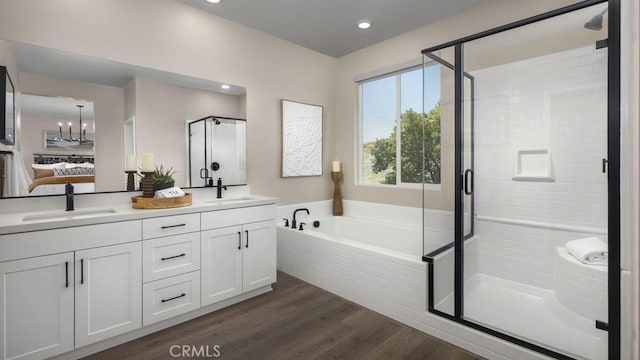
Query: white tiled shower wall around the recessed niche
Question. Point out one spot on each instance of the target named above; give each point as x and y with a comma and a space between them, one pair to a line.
555, 102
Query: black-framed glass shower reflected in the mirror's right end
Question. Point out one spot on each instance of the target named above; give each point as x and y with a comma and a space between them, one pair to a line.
217, 150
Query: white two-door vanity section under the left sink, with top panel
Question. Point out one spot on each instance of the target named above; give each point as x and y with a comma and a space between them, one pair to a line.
79, 295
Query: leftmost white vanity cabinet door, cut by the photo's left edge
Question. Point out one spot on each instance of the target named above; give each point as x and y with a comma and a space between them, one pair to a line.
36, 300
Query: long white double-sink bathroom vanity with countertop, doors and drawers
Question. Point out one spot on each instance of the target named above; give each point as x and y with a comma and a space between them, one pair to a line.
76, 283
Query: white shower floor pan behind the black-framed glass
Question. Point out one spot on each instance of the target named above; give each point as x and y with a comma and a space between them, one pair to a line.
529, 313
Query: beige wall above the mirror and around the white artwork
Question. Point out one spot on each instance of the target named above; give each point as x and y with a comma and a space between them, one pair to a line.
174, 37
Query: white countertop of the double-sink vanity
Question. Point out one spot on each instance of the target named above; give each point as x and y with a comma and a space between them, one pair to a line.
15, 222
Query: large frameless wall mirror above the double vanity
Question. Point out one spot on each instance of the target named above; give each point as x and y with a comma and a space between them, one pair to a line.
112, 95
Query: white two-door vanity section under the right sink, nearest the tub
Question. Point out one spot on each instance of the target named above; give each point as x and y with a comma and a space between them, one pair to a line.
238, 252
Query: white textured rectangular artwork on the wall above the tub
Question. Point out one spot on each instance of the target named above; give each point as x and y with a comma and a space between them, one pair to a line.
301, 139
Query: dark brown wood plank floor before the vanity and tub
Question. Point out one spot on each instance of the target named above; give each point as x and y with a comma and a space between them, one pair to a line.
295, 321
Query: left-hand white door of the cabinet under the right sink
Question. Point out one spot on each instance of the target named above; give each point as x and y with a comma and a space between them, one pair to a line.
221, 264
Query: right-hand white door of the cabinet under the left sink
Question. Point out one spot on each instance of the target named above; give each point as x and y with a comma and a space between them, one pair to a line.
108, 286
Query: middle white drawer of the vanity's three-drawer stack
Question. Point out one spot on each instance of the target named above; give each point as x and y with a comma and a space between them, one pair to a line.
169, 256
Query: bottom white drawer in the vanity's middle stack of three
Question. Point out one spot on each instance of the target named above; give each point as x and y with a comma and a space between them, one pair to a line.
169, 297
